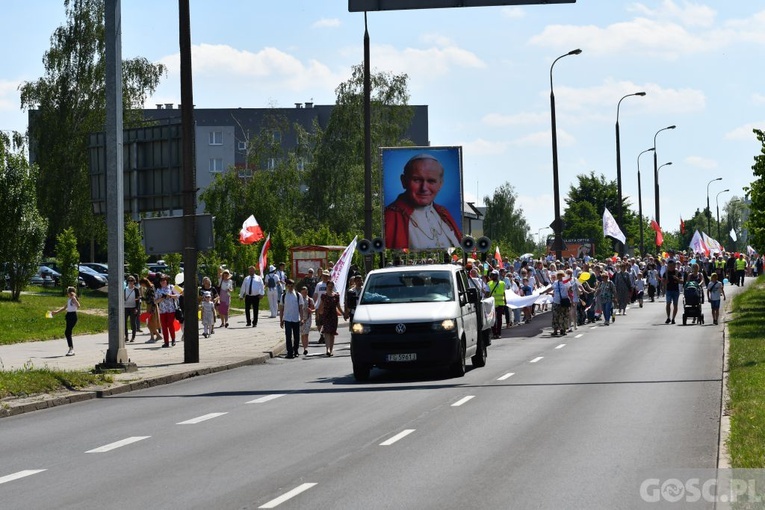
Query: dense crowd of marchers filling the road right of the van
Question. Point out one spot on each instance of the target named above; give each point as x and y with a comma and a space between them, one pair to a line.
586, 290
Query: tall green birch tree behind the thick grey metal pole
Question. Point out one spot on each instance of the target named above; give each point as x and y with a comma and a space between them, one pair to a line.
67, 104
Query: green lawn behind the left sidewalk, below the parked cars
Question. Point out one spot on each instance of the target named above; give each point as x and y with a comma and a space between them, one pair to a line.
24, 320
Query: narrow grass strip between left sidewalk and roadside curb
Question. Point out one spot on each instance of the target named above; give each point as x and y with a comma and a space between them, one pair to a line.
32, 381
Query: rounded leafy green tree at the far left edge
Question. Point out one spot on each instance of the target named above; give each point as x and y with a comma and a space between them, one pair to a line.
23, 229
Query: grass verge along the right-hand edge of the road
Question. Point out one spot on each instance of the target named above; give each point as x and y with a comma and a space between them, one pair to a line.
746, 379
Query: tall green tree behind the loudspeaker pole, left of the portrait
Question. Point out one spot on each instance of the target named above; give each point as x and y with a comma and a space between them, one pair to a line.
335, 181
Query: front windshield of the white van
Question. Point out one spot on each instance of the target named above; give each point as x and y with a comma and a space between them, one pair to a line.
408, 287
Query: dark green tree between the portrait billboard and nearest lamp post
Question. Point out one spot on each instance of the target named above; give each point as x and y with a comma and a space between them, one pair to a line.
504, 222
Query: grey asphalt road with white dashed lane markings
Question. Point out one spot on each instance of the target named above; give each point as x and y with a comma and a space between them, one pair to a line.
572, 422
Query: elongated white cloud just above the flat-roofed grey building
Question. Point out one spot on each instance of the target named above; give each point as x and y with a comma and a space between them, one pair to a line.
270, 65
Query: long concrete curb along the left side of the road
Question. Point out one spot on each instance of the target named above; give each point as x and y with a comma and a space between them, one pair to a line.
47, 401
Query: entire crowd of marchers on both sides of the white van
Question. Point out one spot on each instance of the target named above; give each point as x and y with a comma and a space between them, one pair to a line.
578, 291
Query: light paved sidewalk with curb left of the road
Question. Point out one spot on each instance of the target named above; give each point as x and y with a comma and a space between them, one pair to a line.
232, 347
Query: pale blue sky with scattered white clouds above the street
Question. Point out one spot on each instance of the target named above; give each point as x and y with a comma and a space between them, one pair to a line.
484, 74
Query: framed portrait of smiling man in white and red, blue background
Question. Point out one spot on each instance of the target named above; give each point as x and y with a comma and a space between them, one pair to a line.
422, 197
